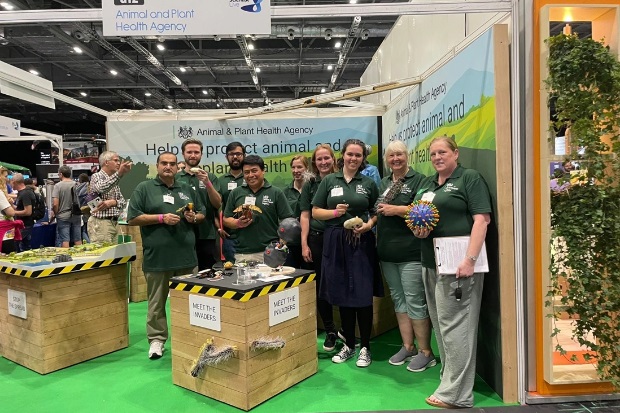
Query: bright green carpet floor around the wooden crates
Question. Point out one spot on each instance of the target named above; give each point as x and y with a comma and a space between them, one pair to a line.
127, 381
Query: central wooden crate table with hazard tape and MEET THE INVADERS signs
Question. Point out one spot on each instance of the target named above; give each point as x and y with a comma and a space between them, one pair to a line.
243, 313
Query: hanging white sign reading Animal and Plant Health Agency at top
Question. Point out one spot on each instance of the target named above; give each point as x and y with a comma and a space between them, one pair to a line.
179, 18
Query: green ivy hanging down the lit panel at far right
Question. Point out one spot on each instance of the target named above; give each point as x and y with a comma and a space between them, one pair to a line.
584, 82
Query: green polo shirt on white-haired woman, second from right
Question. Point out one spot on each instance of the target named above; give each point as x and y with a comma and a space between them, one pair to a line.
395, 241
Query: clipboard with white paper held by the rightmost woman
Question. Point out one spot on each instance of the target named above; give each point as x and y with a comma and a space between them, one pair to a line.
449, 252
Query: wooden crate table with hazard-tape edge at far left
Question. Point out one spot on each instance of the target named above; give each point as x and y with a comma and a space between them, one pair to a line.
57, 315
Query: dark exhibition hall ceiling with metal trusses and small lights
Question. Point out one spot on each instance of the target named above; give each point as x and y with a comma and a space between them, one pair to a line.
299, 58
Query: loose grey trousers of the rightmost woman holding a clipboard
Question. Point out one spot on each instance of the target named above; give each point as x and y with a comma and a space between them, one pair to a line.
456, 329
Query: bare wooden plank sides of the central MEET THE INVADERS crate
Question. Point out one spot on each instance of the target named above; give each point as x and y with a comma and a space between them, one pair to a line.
251, 377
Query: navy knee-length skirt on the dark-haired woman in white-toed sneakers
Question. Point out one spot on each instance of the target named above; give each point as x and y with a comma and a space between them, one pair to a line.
350, 274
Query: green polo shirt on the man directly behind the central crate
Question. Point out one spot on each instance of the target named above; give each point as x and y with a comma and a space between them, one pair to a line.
264, 227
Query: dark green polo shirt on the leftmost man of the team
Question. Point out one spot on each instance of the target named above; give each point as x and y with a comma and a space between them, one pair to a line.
166, 247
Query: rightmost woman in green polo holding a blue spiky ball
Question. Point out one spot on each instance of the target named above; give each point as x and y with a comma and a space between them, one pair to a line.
462, 198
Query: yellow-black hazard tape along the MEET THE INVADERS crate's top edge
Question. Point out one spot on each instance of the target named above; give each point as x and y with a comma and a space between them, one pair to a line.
240, 296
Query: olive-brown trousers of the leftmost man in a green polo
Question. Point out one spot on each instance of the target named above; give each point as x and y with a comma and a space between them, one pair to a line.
157, 295
